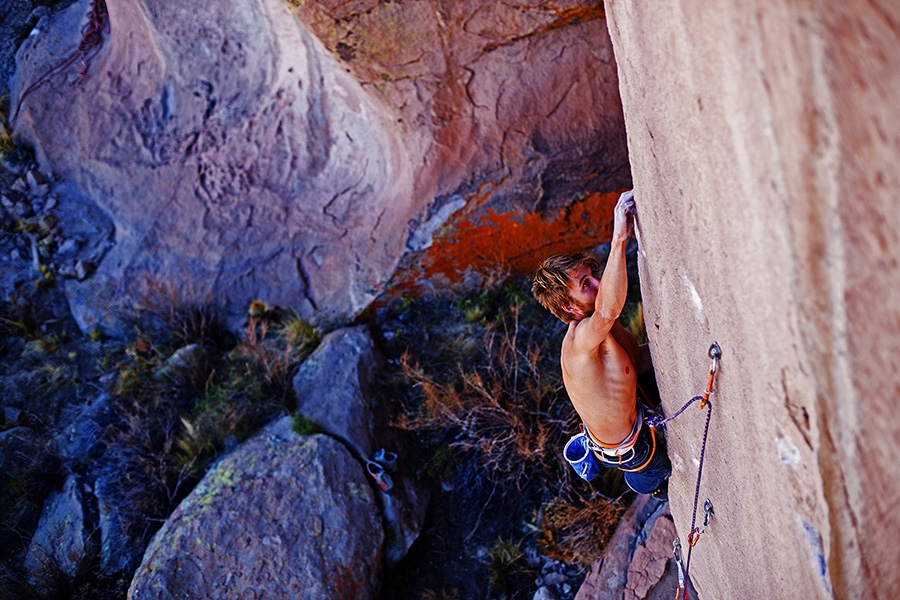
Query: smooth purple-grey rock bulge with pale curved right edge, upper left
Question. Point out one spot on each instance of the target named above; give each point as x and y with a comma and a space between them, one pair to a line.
234, 155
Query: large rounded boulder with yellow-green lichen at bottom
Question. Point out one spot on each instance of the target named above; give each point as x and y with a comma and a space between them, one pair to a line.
284, 516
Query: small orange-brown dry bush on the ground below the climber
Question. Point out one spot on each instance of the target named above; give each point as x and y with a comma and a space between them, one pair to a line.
578, 531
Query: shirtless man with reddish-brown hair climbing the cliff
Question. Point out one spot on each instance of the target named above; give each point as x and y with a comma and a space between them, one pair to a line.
601, 359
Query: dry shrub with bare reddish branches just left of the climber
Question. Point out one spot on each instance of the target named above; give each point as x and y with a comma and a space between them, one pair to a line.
509, 408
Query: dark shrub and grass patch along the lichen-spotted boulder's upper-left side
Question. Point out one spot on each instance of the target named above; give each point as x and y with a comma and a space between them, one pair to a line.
174, 417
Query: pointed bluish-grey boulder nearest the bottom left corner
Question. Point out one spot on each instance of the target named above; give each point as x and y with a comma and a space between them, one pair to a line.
61, 545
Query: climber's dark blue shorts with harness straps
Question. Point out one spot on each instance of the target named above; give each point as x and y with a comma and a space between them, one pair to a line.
646, 465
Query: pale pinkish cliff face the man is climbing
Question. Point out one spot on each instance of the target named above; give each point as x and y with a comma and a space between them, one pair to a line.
764, 143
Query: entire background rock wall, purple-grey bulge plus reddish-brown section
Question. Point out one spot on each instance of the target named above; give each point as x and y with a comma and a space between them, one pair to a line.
239, 159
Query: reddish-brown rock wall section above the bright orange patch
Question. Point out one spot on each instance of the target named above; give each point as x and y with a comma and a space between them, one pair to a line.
522, 93
